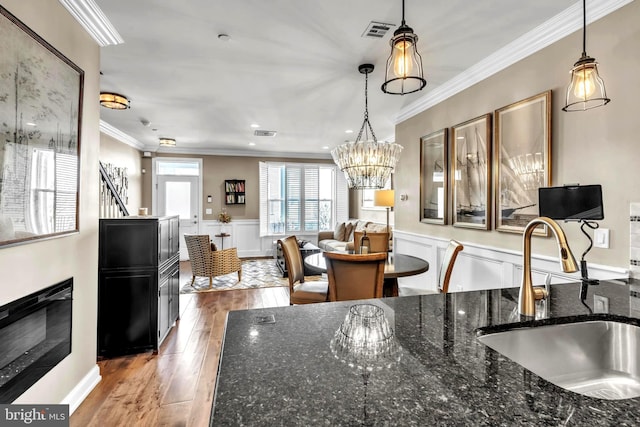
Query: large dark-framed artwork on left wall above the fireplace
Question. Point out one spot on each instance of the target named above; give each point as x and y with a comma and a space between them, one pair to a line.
40, 116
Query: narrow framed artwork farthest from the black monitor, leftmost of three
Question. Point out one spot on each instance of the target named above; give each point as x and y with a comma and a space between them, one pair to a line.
434, 177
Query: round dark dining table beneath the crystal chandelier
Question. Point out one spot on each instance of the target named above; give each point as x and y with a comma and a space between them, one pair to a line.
397, 265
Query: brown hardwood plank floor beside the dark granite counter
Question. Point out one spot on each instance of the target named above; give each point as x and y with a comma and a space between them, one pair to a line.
174, 387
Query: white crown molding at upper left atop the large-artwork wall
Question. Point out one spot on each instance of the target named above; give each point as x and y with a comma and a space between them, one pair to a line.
94, 21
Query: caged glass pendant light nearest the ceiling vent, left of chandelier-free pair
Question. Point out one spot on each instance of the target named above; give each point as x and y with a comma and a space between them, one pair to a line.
404, 67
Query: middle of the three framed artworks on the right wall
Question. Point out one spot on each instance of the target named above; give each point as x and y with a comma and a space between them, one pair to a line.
470, 173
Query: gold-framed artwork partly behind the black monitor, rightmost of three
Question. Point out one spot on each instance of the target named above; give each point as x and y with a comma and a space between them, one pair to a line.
522, 161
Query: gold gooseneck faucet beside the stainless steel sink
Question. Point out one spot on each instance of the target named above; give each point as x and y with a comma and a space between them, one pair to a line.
529, 294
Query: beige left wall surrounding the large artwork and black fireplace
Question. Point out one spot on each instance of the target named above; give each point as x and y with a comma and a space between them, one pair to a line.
29, 267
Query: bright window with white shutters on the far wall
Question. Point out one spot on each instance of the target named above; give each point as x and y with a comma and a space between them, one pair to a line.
299, 198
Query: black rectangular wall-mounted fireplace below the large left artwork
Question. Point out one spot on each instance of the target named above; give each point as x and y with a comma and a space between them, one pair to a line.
35, 332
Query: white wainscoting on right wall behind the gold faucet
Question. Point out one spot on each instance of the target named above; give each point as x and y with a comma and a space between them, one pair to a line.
484, 267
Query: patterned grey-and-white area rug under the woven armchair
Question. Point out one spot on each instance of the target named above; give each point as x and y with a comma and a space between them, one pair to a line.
260, 273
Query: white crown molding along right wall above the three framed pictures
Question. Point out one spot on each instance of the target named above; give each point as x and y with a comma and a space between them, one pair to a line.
556, 28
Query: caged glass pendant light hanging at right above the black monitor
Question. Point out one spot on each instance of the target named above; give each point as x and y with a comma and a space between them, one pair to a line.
586, 89
